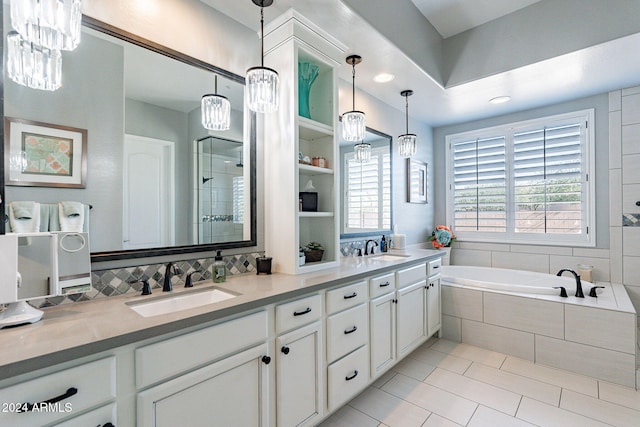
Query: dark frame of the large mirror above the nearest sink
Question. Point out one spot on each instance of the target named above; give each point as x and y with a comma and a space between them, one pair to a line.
173, 54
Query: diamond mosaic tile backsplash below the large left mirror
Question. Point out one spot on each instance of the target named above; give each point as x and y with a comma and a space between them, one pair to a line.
122, 281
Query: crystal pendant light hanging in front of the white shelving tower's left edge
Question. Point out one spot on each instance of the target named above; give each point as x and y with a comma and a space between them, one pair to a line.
262, 82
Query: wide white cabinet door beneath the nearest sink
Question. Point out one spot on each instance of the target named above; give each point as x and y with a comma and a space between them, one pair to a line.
231, 392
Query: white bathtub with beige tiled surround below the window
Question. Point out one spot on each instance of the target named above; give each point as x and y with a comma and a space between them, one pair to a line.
519, 313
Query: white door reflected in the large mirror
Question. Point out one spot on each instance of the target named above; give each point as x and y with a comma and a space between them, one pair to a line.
148, 193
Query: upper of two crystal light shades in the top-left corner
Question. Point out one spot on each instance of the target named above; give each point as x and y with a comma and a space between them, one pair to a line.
52, 24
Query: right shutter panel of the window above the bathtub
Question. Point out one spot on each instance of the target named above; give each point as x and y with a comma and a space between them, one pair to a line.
547, 171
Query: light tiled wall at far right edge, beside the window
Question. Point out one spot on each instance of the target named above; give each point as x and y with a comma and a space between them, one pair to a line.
624, 181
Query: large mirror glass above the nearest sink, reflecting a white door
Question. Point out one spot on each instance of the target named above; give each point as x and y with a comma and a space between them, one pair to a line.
157, 181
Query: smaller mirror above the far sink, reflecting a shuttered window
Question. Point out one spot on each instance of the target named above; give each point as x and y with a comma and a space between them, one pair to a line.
366, 188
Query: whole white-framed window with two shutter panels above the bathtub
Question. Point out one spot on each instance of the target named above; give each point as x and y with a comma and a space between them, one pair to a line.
526, 182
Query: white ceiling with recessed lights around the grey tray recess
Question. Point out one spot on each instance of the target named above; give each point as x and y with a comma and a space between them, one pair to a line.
598, 68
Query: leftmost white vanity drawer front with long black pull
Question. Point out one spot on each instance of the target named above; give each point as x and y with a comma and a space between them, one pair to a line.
67, 397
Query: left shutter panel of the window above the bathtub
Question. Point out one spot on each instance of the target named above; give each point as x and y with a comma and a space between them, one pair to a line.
479, 185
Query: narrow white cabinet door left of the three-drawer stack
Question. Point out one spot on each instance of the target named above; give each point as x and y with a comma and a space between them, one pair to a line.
299, 384
